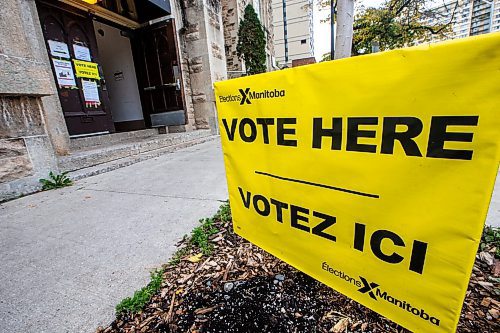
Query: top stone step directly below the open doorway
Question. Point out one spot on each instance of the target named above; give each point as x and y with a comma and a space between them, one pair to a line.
110, 139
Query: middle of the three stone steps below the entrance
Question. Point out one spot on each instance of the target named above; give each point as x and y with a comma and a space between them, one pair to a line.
90, 157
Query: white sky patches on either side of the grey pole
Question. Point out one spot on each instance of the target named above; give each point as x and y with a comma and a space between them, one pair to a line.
322, 30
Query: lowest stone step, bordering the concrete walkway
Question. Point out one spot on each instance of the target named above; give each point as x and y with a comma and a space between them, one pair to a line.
123, 162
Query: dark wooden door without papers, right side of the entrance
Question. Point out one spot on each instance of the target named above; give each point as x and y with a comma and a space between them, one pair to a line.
160, 79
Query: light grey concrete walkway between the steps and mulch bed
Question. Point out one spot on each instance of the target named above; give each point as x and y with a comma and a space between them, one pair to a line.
68, 256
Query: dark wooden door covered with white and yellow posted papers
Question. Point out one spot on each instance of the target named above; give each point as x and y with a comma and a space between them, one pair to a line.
85, 112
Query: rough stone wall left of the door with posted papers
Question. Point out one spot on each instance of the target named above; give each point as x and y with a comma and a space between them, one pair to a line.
26, 151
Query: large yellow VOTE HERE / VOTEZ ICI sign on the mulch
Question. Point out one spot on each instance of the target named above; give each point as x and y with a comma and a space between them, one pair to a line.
372, 174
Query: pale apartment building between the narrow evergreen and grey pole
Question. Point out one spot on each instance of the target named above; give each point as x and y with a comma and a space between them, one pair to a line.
293, 30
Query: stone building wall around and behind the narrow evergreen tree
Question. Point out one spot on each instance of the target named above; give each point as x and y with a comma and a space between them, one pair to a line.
232, 14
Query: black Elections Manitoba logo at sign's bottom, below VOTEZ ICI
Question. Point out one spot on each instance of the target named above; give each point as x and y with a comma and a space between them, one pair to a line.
374, 291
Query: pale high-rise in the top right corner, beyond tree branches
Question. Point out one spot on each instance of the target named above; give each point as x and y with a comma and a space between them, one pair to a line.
468, 17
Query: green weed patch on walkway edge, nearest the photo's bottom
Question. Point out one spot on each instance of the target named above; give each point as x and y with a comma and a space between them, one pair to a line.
136, 303
